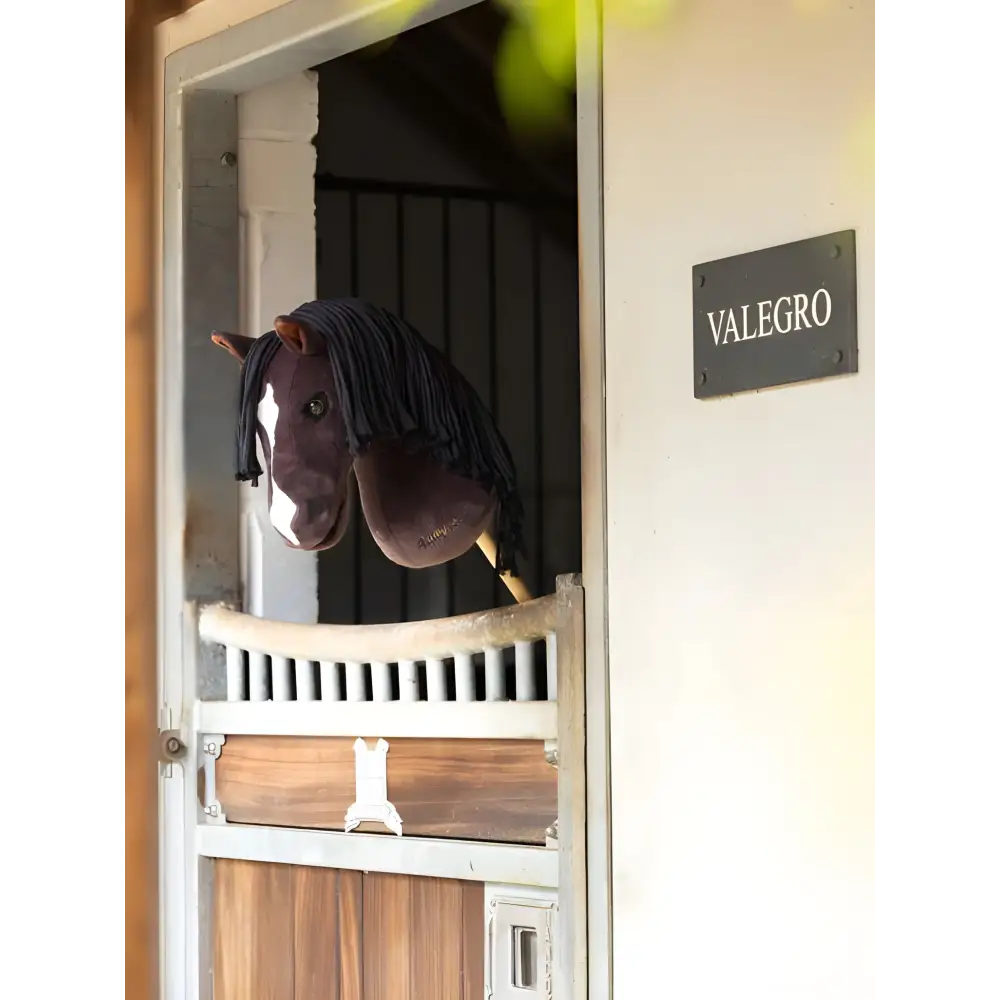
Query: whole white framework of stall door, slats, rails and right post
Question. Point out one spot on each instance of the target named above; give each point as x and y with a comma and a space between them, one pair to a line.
508, 673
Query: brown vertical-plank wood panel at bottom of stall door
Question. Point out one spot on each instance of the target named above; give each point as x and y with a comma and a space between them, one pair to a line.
289, 932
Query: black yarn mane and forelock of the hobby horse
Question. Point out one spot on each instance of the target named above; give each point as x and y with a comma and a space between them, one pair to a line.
393, 384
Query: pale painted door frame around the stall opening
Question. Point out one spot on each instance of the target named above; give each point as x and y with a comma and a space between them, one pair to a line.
198, 520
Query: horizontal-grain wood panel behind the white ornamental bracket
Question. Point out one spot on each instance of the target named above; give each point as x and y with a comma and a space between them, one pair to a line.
499, 790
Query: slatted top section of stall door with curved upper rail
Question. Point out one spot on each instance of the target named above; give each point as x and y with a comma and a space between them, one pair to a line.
487, 675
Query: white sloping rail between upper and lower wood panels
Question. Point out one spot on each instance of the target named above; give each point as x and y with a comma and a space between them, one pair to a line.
462, 859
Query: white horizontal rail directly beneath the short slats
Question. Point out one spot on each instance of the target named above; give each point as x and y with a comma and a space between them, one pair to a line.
483, 720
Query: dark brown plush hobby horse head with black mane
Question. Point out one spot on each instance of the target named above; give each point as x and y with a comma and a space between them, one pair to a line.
343, 384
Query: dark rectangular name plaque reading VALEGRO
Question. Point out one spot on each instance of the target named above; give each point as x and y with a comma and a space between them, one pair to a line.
776, 316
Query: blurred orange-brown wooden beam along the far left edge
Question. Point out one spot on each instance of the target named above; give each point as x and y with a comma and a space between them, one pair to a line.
138, 386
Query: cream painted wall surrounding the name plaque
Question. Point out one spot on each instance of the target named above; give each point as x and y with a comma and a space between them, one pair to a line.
744, 532
